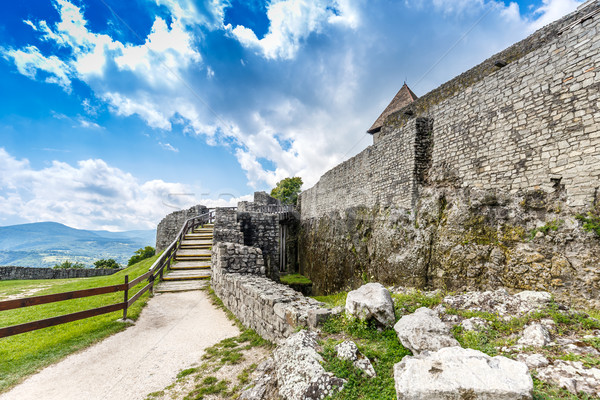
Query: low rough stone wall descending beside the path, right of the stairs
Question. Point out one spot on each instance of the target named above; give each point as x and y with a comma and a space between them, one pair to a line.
273, 310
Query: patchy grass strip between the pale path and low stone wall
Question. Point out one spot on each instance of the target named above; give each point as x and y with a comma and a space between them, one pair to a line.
225, 368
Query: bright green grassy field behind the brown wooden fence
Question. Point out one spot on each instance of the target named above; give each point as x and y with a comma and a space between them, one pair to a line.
21, 355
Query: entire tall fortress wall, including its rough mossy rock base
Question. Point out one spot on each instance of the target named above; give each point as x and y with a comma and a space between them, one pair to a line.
457, 181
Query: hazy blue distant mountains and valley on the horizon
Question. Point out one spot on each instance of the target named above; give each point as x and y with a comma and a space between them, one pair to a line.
44, 244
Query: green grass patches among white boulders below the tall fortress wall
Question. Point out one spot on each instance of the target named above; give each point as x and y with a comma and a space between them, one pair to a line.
384, 350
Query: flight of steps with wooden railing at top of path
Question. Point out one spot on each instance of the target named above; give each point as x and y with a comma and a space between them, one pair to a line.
191, 270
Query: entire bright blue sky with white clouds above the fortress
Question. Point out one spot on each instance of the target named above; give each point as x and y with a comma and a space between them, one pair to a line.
115, 113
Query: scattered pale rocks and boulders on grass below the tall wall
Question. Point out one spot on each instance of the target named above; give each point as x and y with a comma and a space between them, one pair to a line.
439, 367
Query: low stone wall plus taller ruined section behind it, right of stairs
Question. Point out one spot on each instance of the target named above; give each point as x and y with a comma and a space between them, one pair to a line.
239, 275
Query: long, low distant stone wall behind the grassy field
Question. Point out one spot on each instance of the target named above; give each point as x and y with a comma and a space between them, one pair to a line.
10, 273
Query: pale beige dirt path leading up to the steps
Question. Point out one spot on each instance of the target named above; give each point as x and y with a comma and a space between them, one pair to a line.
170, 335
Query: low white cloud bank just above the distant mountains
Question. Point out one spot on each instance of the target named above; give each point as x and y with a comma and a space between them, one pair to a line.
92, 195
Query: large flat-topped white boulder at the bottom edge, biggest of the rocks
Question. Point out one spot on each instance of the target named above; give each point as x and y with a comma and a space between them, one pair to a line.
454, 373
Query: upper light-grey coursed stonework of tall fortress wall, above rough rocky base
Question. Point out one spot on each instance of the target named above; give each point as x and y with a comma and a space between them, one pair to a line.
534, 120
